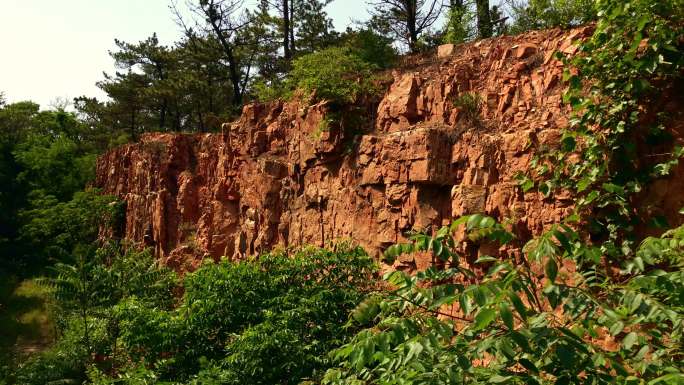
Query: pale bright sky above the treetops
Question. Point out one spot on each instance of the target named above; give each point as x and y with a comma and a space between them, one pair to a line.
58, 49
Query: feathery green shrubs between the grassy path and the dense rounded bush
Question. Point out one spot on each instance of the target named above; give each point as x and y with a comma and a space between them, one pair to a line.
84, 294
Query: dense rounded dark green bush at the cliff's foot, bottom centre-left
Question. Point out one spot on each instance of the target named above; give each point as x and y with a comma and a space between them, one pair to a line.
263, 321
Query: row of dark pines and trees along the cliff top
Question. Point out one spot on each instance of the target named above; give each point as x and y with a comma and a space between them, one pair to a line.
230, 53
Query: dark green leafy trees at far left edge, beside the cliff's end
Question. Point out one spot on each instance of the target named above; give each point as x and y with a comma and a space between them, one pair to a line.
45, 157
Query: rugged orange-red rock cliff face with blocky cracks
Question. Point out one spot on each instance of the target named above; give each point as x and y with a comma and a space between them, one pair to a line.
285, 174
